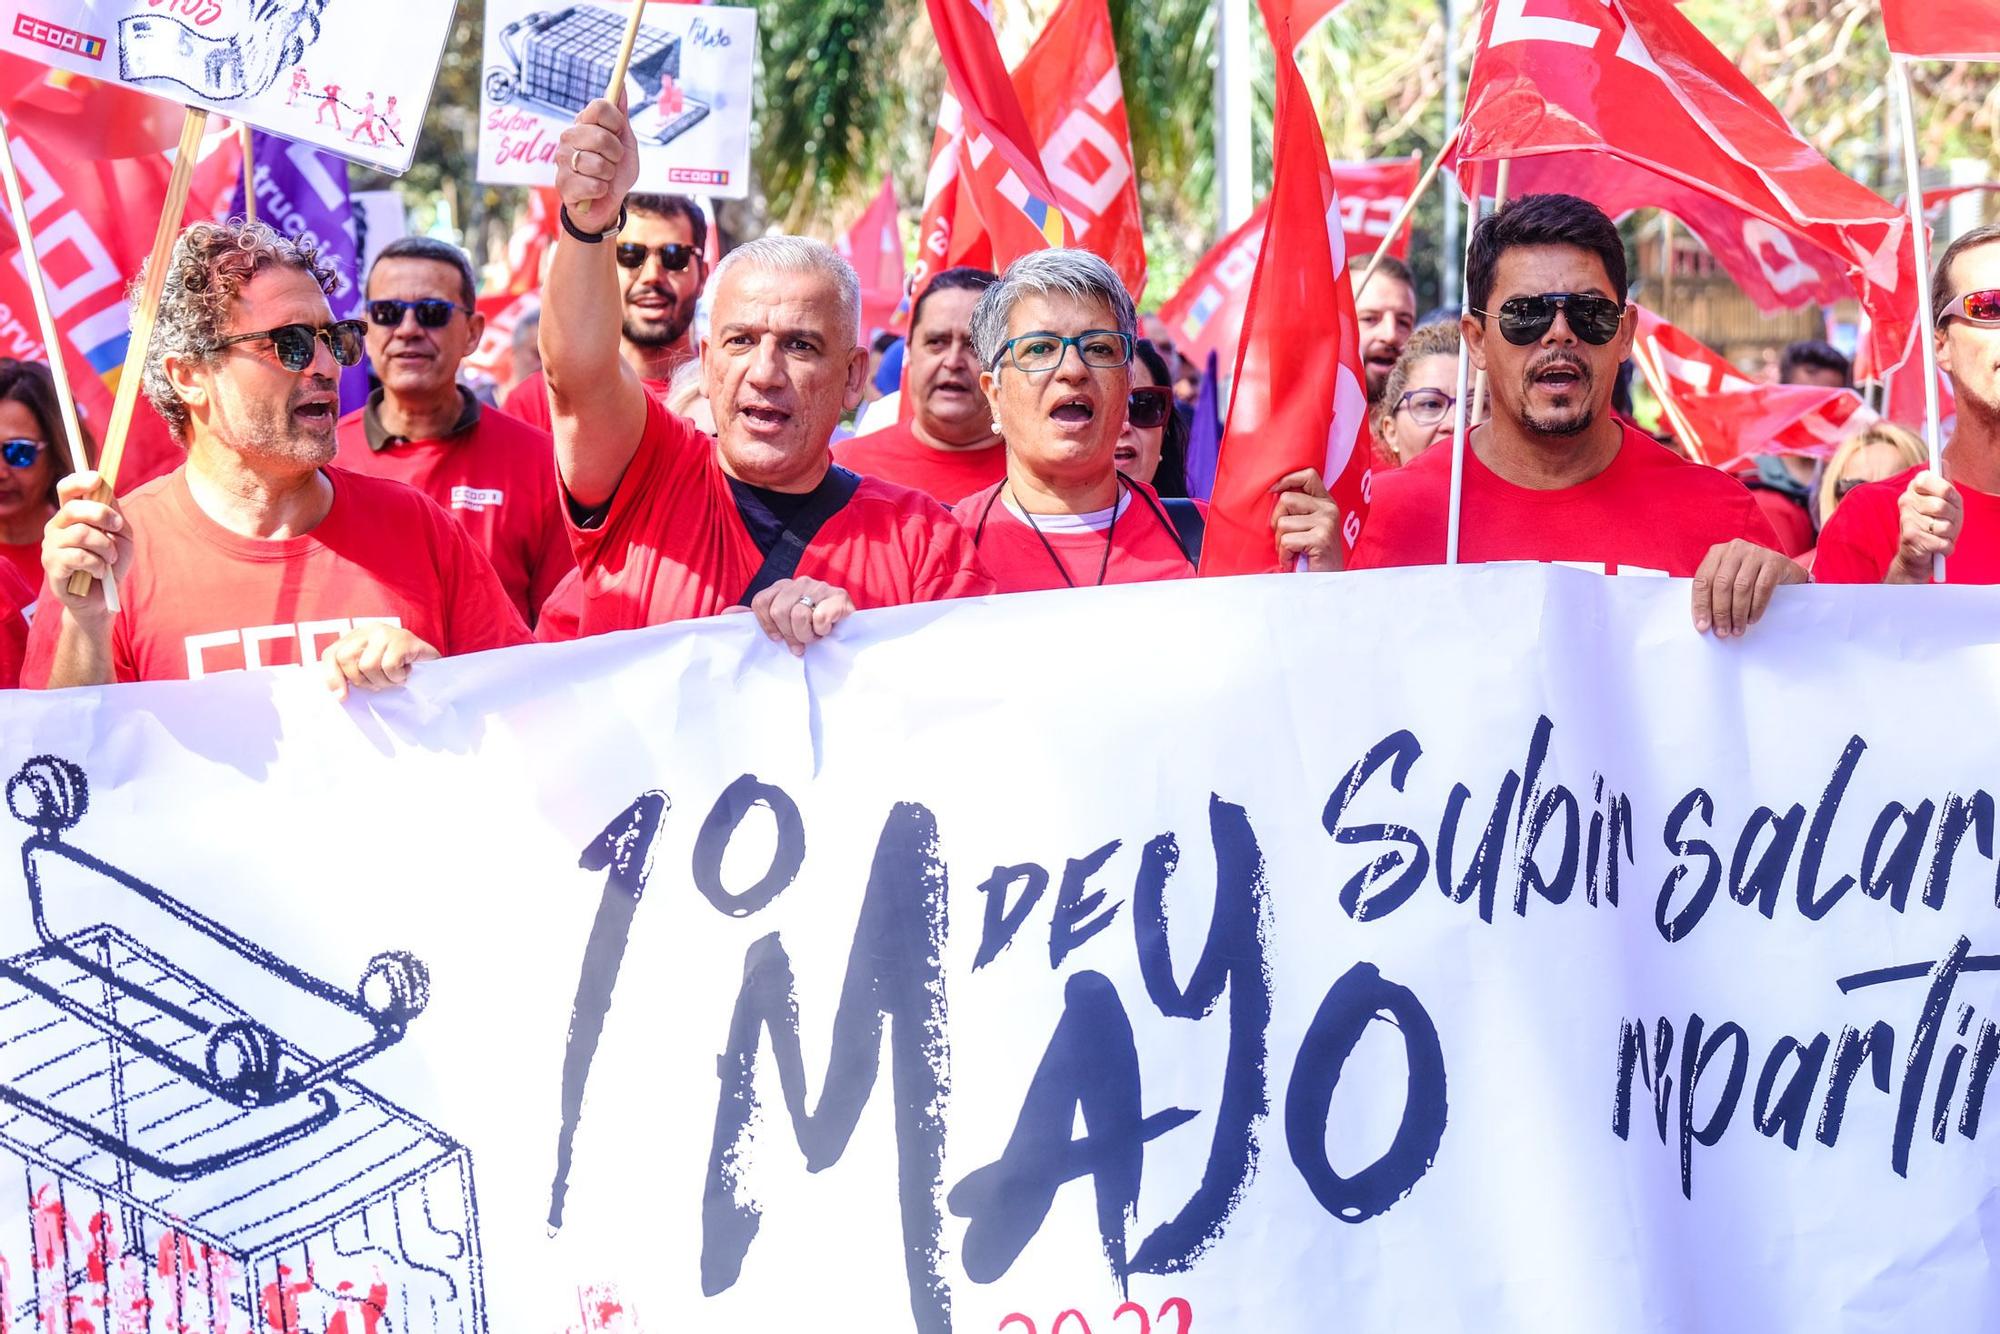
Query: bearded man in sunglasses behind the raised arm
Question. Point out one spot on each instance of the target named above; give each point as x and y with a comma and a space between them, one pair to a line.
663, 265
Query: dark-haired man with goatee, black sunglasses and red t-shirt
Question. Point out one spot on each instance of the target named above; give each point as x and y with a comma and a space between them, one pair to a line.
1555, 475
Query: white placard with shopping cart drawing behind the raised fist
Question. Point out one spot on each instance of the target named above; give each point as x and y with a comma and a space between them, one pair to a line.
689, 89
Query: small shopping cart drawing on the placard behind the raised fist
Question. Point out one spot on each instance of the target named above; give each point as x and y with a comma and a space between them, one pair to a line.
565, 59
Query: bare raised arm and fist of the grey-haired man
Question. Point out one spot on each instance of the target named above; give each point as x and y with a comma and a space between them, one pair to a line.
597, 403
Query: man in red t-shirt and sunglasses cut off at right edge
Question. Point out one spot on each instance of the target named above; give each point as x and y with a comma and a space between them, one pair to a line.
1895, 531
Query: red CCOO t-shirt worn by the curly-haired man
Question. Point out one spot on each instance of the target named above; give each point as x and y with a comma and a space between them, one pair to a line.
201, 599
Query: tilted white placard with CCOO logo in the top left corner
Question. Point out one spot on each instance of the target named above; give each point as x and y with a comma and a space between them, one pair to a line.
313, 71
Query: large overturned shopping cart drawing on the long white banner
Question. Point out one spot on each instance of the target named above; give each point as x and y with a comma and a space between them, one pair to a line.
173, 1151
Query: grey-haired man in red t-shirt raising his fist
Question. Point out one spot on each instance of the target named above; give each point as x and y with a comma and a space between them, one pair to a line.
669, 523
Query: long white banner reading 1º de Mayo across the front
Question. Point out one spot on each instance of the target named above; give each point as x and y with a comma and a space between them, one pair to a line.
1395, 953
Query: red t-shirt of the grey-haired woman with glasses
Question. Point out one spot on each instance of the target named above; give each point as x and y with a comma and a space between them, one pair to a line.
1141, 543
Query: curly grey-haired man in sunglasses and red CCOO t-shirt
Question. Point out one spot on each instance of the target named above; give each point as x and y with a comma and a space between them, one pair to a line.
257, 551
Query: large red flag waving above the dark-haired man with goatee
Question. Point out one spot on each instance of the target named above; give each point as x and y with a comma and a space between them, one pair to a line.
1637, 81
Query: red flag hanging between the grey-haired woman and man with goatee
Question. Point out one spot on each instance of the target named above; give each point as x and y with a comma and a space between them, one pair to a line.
1299, 403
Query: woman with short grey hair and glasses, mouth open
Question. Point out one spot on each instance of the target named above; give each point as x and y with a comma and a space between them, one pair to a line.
1055, 339
